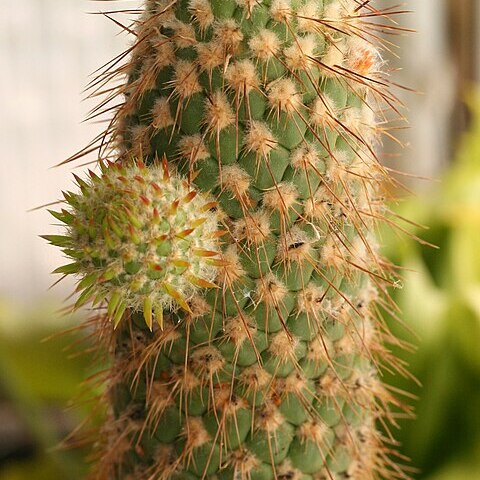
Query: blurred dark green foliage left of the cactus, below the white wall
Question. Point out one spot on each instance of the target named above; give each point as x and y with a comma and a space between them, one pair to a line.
38, 380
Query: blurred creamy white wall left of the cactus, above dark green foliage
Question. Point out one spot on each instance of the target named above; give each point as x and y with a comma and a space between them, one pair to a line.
47, 50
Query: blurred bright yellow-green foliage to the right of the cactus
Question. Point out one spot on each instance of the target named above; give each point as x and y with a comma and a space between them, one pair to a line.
440, 302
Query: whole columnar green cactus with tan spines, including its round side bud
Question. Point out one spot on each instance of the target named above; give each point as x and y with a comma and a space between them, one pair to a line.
237, 204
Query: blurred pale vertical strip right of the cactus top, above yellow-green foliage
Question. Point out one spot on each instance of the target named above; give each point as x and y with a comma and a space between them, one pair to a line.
426, 67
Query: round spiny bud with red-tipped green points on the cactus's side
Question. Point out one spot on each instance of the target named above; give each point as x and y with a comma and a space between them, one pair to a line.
140, 239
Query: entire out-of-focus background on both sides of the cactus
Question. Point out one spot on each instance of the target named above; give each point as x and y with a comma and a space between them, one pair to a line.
48, 49
